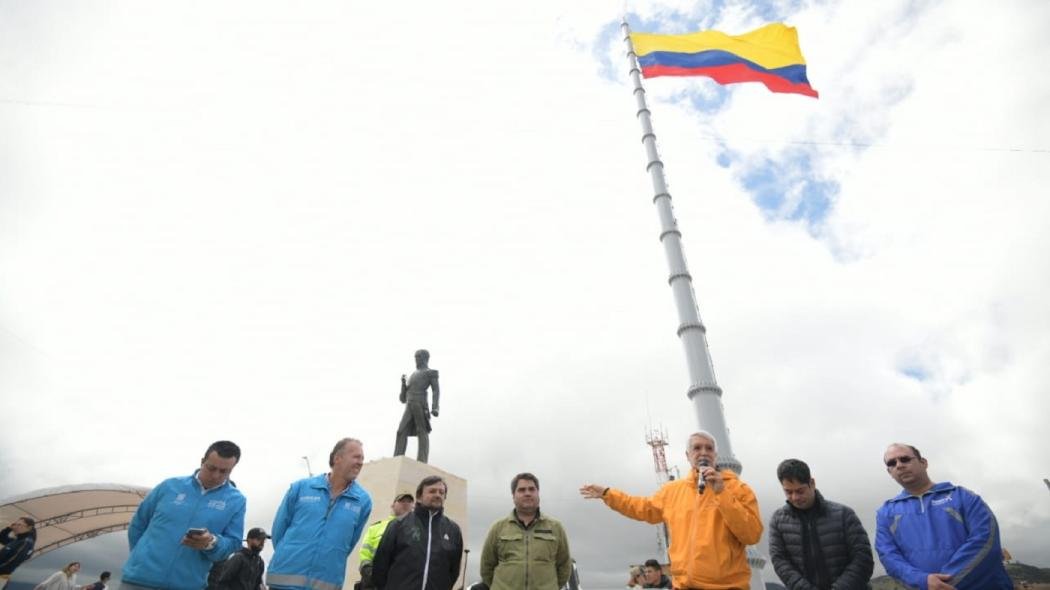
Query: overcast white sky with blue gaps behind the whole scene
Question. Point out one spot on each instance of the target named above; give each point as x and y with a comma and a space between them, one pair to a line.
240, 220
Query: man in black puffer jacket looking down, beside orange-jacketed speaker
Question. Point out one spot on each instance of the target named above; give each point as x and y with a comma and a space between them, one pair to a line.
816, 544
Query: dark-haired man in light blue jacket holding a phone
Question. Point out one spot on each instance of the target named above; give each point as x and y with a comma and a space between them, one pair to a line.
185, 524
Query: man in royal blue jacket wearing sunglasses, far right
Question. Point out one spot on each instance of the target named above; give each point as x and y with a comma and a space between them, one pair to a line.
937, 537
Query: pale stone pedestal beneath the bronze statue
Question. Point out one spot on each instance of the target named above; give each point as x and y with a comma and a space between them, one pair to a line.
387, 478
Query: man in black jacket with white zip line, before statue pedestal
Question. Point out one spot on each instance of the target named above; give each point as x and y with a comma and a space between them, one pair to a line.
423, 543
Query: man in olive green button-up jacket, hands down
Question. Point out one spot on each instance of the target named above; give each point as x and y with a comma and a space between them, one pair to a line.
528, 551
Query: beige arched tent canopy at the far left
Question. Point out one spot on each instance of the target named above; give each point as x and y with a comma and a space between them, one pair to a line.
67, 515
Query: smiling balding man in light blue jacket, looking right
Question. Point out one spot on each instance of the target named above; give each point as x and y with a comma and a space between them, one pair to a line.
319, 523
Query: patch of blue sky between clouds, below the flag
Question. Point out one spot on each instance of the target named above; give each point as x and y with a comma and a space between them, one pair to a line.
790, 188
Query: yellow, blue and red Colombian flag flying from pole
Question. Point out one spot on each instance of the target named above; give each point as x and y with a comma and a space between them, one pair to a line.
769, 55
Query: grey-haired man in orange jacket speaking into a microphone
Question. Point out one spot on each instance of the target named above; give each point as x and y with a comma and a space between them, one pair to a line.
710, 531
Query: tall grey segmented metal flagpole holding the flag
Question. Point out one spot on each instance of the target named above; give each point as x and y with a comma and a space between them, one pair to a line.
704, 390
